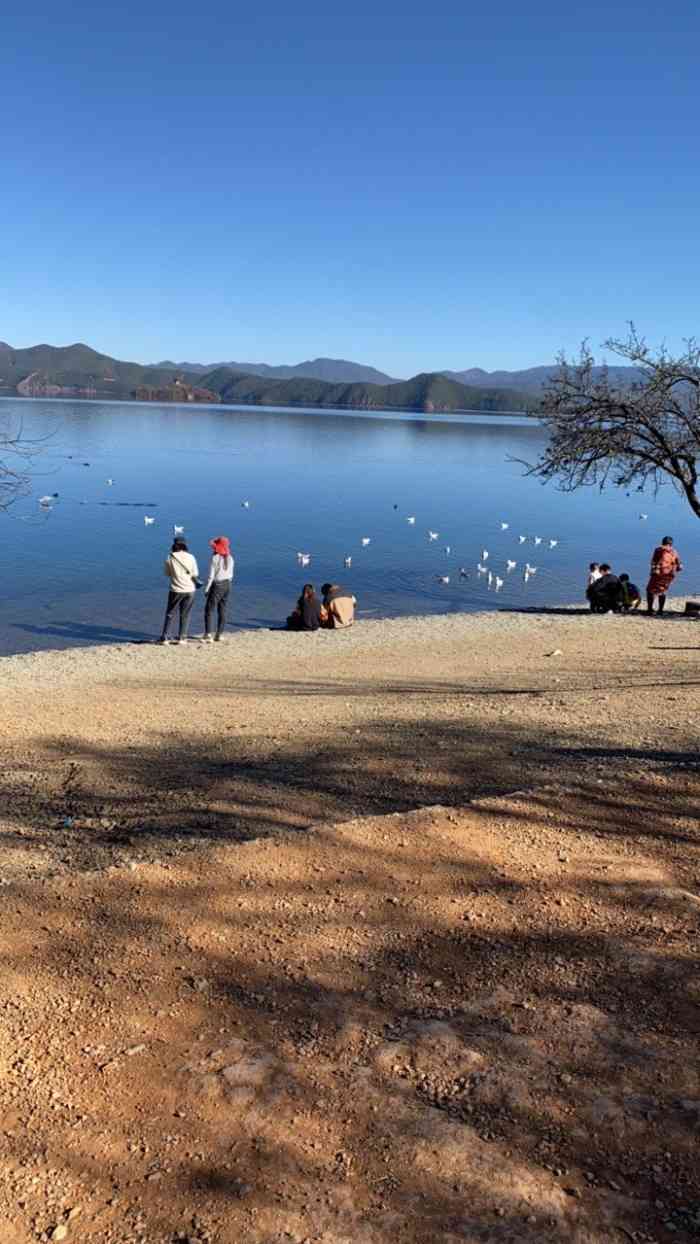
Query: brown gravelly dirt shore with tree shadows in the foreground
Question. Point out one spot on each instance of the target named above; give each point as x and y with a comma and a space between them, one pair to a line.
389, 942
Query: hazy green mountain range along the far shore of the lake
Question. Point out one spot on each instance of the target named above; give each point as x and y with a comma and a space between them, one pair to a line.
80, 371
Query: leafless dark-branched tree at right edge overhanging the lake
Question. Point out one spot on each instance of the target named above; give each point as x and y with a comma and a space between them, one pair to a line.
646, 434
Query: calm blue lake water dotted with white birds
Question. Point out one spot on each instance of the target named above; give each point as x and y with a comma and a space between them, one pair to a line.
90, 570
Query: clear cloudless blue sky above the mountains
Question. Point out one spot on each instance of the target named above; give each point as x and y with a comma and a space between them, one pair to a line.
415, 186
